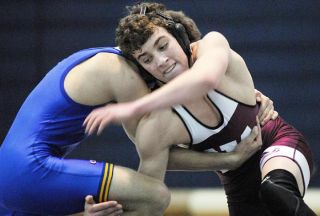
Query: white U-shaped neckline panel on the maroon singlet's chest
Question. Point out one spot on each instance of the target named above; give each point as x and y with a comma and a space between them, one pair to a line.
200, 132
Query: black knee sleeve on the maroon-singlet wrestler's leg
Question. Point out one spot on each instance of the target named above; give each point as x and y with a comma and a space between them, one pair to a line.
280, 193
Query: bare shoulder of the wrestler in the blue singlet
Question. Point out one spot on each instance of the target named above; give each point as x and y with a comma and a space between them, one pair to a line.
103, 78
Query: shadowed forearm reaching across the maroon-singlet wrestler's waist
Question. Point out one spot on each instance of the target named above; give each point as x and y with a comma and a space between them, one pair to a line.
184, 159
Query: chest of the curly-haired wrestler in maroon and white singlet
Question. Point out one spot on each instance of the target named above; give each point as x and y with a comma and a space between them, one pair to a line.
232, 121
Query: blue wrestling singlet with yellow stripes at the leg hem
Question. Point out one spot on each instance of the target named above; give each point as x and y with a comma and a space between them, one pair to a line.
34, 176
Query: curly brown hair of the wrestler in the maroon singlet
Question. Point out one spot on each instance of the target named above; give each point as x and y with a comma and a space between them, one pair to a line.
135, 29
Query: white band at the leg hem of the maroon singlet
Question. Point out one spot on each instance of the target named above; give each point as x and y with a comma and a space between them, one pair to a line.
293, 154
